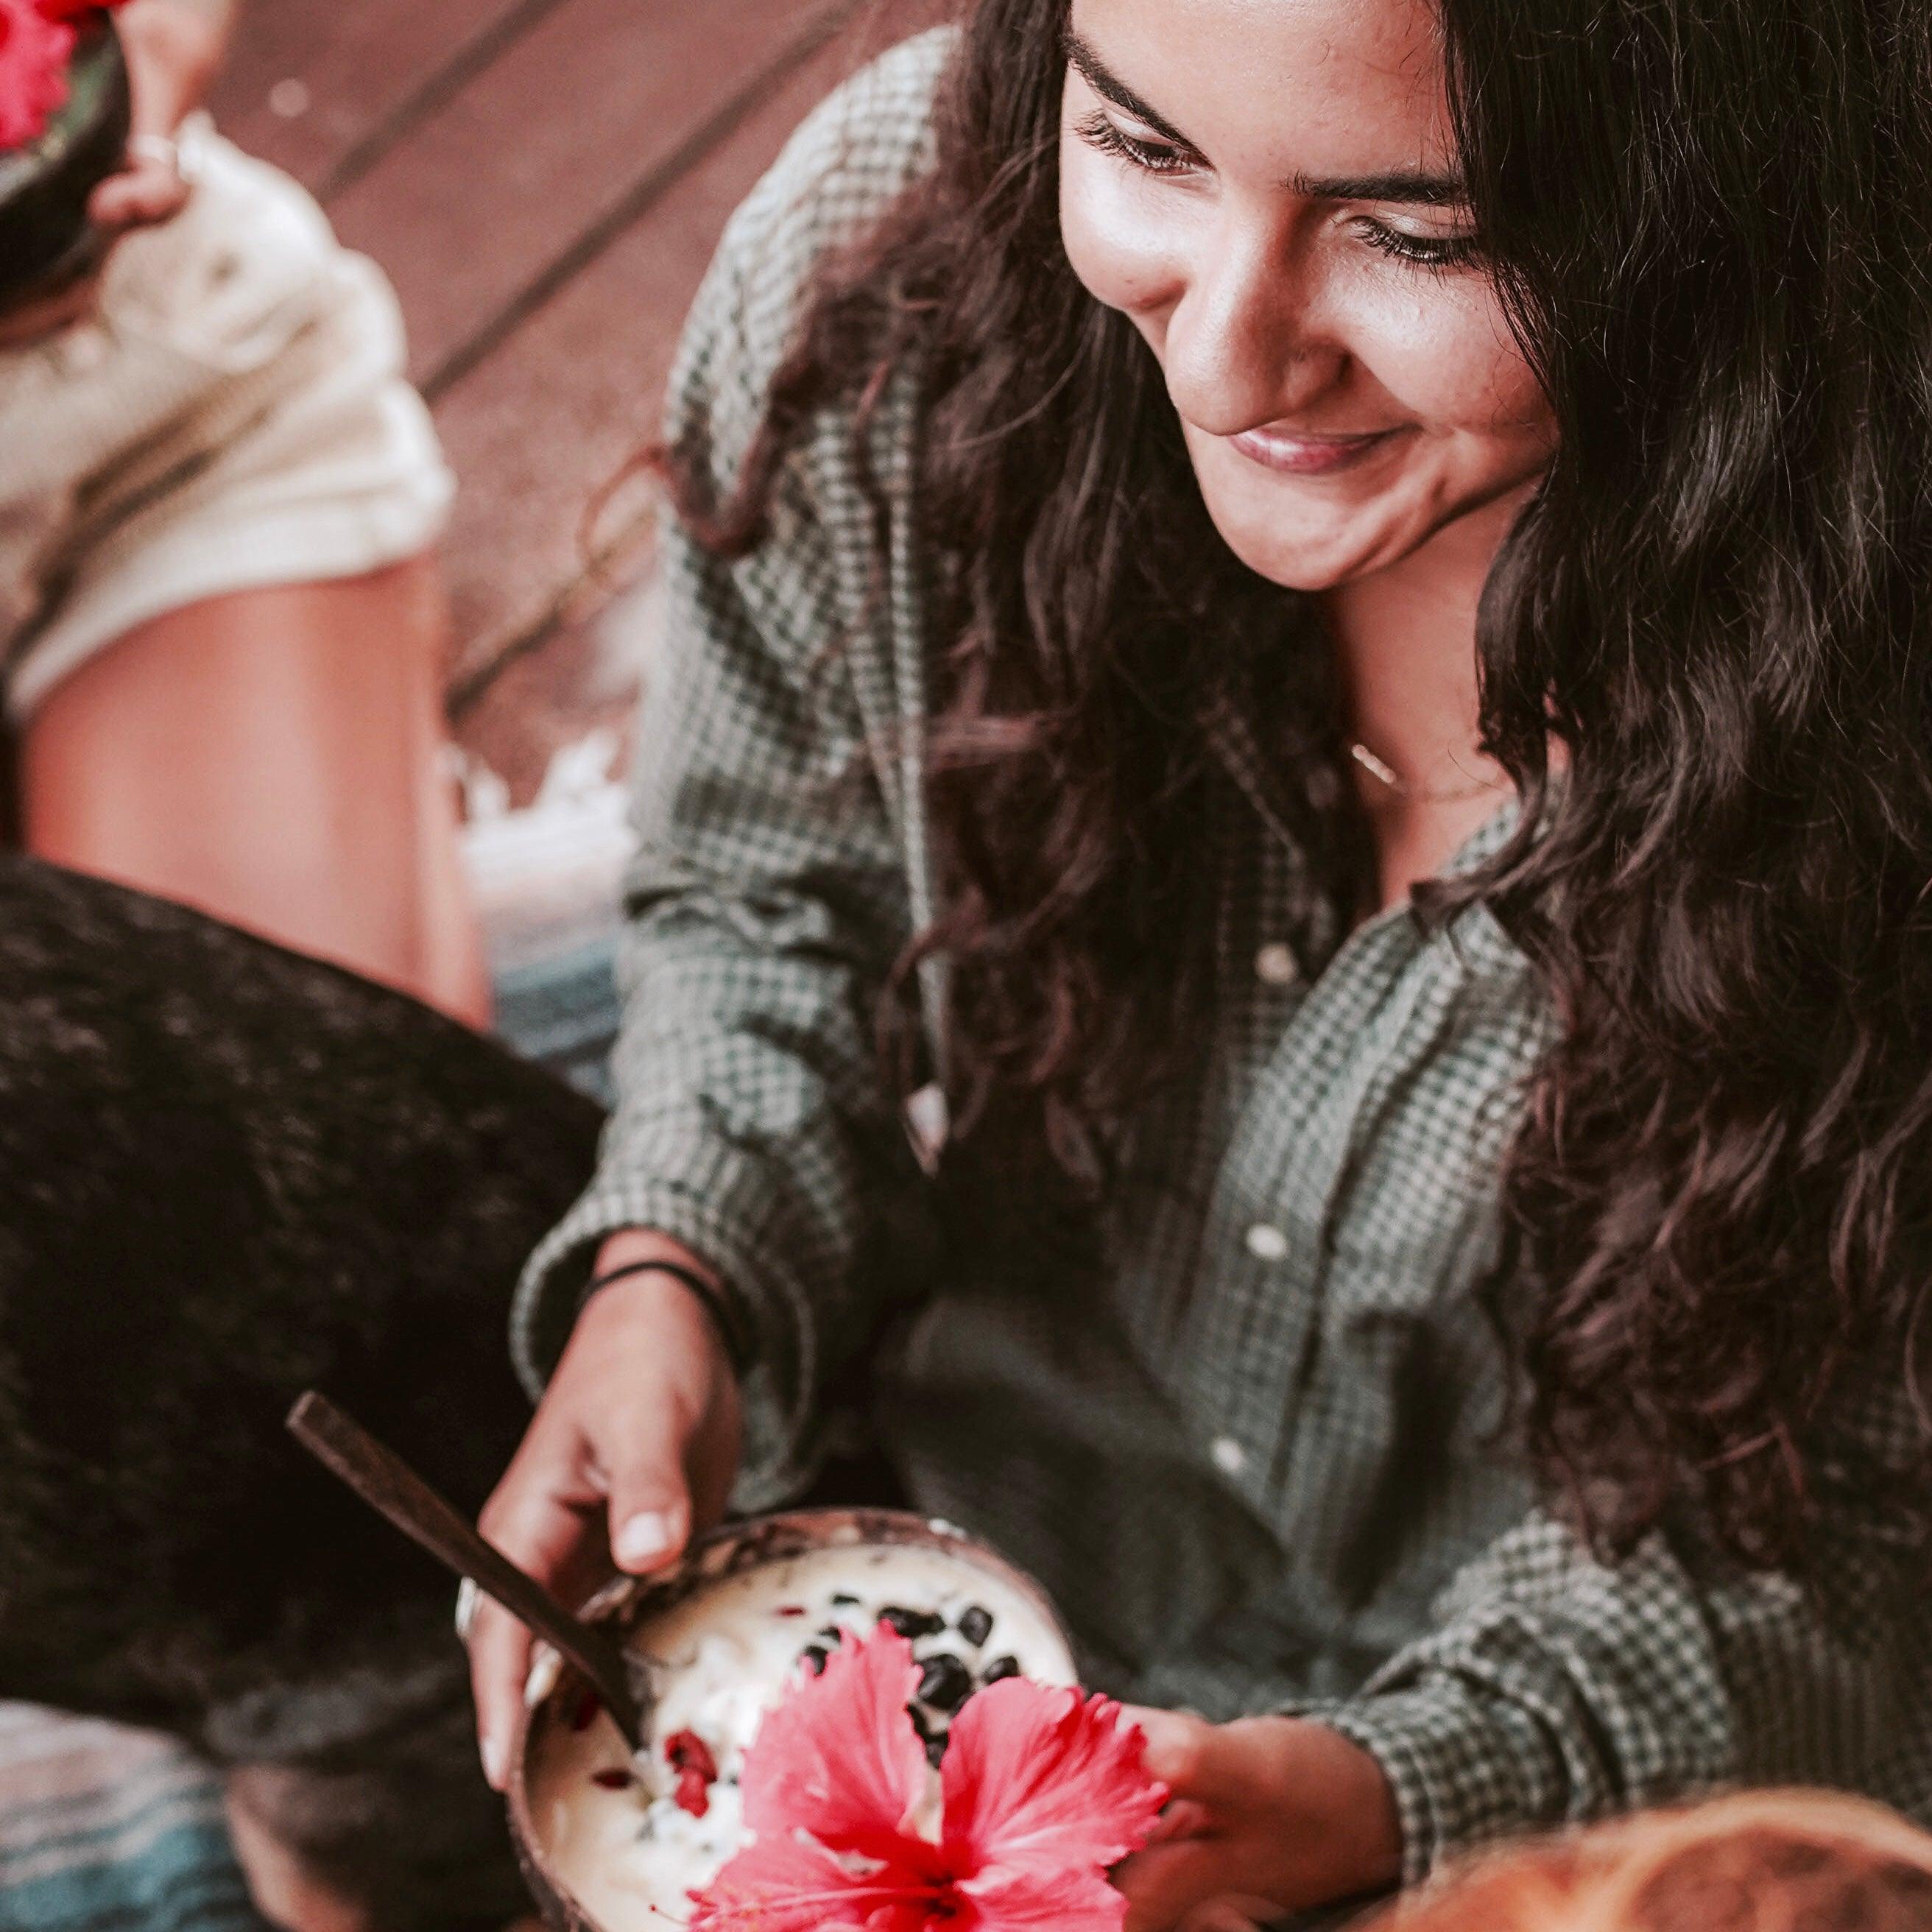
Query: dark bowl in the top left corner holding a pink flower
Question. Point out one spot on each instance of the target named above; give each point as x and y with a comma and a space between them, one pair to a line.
45, 235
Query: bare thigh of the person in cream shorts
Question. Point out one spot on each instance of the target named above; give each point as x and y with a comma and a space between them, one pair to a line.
275, 758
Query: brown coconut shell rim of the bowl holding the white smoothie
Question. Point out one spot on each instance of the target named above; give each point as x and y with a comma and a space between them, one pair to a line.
633, 1603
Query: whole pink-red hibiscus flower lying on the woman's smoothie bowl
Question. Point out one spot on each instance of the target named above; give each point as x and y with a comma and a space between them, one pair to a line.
1038, 1796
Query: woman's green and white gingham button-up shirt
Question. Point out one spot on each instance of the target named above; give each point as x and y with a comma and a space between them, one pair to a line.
1259, 1458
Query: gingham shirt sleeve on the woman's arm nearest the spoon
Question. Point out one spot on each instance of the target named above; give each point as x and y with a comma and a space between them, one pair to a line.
770, 897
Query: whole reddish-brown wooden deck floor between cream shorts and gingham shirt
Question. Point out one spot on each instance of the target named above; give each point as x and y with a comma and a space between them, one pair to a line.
544, 183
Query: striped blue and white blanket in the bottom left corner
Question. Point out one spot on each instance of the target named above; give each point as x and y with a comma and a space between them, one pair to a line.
105, 1829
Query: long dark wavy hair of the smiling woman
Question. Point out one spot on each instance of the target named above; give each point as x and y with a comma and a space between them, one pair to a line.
1711, 223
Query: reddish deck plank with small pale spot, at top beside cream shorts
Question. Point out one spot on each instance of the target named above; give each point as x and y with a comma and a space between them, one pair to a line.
312, 84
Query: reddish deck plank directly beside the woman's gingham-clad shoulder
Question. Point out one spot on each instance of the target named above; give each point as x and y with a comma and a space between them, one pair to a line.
540, 428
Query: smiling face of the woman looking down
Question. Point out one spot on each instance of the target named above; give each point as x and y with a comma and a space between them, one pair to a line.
1268, 192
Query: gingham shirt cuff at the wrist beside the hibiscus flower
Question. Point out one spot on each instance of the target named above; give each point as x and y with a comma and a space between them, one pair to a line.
1465, 1771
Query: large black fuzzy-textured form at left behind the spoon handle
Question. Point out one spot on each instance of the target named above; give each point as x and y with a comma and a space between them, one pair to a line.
229, 1174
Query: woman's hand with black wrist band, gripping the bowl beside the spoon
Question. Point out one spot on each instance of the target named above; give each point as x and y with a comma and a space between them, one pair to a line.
633, 1448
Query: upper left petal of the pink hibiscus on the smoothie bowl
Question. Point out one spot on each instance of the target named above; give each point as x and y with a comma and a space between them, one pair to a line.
839, 1757
